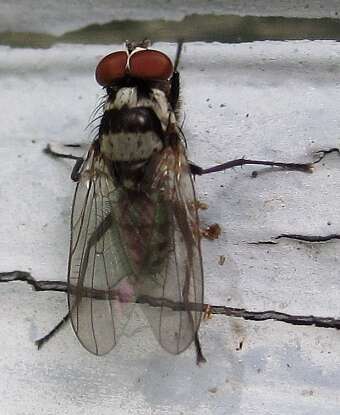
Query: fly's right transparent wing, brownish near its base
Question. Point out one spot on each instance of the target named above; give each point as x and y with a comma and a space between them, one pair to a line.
172, 293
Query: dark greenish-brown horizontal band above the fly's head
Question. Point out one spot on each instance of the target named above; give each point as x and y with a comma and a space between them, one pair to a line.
208, 28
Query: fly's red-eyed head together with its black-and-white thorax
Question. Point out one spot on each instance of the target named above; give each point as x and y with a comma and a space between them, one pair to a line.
142, 95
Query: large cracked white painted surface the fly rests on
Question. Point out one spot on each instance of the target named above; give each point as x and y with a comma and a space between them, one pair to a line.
291, 93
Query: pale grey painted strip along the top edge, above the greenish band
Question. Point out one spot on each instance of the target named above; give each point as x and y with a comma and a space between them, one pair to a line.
57, 17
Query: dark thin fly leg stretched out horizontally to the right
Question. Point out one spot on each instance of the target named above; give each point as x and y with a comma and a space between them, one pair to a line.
199, 171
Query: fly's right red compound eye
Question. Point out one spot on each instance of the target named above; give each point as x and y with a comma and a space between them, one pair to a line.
150, 64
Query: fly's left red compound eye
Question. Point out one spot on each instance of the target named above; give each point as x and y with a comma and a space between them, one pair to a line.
111, 67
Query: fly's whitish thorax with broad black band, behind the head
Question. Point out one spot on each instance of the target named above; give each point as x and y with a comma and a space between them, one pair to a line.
134, 123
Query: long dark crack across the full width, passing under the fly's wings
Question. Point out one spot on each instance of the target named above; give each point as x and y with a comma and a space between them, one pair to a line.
325, 322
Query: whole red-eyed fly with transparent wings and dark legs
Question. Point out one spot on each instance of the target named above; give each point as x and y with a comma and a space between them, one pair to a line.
135, 233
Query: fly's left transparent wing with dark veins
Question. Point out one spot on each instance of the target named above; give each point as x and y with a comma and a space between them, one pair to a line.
100, 280
